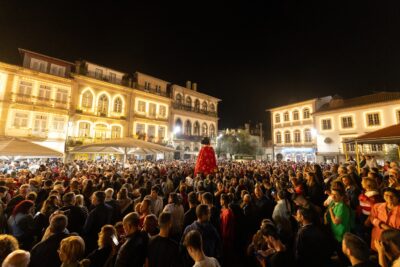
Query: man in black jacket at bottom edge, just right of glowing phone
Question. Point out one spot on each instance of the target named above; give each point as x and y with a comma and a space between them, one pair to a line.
133, 252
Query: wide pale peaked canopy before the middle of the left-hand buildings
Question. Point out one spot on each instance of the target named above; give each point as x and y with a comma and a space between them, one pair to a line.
123, 146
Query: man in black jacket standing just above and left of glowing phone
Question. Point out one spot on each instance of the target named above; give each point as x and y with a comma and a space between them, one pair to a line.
97, 218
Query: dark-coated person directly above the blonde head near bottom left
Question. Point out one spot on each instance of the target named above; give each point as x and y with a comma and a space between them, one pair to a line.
76, 215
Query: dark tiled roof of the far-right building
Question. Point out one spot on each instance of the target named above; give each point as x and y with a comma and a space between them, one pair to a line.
338, 103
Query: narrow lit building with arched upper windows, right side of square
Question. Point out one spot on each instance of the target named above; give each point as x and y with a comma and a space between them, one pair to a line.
293, 130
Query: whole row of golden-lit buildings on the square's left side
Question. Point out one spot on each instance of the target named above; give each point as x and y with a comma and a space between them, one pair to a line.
60, 104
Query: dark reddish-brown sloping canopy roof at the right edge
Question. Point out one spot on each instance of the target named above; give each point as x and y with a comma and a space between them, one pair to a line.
388, 135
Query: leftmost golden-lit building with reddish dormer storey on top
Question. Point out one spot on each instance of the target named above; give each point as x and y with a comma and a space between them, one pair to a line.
35, 99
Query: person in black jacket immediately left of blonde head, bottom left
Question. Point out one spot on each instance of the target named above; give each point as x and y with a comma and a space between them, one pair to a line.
44, 253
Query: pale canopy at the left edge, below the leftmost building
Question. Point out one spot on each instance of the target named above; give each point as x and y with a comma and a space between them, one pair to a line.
12, 147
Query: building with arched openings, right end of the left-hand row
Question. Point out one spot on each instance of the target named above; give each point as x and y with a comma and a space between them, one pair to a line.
194, 115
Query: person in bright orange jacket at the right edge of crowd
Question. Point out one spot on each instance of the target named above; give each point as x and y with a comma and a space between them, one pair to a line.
385, 215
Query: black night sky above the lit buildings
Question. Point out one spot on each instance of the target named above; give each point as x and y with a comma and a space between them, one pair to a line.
252, 54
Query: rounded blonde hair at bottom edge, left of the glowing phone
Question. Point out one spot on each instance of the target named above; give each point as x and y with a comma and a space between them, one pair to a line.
72, 249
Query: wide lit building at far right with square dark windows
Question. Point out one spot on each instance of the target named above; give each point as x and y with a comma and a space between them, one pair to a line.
343, 119
